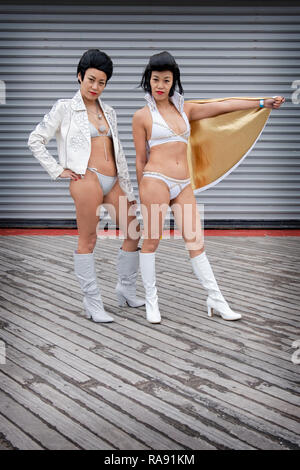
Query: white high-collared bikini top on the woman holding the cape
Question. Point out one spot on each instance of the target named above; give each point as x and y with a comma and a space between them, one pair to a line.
161, 132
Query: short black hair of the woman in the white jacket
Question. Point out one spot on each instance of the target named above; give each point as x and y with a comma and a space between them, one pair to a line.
95, 59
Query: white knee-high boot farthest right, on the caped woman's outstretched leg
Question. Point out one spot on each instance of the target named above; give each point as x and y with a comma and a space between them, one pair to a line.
215, 300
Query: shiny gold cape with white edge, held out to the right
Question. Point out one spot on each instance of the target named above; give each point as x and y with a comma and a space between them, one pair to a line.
217, 145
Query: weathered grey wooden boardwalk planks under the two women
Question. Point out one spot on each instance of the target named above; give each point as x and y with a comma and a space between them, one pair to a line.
191, 382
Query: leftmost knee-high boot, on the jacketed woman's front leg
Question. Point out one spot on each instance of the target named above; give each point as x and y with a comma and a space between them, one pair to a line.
84, 266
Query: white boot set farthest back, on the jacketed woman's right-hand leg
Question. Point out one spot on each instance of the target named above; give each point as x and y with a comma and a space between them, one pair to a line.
127, 267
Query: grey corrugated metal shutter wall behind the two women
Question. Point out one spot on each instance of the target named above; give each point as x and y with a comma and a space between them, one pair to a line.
222, 51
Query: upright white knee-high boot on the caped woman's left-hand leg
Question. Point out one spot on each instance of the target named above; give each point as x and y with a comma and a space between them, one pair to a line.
147, 267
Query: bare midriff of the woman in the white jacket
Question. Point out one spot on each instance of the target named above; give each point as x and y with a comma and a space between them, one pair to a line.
97, 158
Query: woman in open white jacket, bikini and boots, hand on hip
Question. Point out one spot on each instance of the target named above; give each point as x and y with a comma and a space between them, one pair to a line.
91, 156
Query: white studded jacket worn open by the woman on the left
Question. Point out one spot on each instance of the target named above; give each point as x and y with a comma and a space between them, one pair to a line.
68, 121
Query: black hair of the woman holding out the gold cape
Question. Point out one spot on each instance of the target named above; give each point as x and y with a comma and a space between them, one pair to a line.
159, 62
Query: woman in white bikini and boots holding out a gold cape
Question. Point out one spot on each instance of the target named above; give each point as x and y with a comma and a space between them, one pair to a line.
182, 147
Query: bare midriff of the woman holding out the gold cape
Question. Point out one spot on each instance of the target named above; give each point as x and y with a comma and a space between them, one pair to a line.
170, 159
